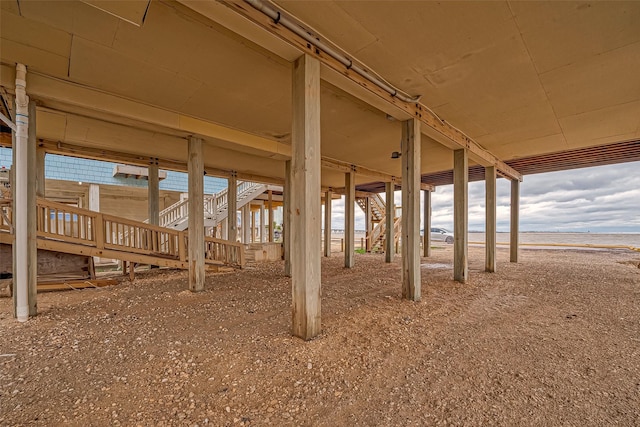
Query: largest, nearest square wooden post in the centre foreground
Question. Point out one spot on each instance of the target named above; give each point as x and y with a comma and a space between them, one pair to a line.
305, 198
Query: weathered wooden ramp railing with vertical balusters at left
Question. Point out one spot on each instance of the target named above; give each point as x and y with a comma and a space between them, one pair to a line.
68, 224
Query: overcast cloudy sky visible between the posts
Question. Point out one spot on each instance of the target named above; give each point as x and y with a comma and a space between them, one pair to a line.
603, 199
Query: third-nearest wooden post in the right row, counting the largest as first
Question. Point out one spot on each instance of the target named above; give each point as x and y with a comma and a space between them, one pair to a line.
460, 215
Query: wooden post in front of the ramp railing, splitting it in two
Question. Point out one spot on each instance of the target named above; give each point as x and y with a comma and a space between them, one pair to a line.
196, 215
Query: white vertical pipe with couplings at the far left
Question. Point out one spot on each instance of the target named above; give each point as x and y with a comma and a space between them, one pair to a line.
21, 276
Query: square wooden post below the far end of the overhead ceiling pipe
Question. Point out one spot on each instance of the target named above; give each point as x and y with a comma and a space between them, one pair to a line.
411, 209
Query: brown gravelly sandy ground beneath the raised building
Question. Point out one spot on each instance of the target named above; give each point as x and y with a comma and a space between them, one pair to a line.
553, 340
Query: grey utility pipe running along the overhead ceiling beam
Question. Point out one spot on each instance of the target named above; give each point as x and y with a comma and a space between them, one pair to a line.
279, 18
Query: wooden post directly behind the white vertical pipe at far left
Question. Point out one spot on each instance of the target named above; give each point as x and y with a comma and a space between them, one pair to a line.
32, 266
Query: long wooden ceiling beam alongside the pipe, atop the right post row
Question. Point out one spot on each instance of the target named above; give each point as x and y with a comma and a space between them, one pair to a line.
435, 128
